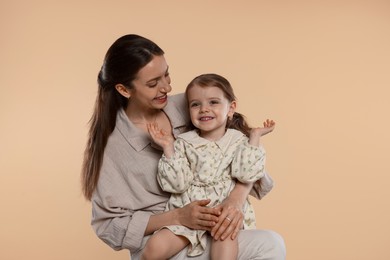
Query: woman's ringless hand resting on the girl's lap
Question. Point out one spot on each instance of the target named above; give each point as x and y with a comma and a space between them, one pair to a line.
197, 216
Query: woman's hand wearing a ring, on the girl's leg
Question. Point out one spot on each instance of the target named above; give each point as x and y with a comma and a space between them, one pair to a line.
230, 220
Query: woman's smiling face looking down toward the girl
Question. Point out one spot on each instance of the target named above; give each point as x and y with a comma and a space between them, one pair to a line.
151, 86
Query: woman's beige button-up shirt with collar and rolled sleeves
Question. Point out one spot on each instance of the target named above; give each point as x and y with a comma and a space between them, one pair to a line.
128, 193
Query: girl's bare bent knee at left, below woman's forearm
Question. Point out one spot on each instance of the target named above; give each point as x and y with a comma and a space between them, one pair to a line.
163, 245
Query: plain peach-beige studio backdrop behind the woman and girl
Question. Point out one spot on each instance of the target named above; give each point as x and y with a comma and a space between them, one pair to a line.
320, 69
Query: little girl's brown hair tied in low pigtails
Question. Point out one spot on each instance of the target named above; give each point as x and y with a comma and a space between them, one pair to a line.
238, 121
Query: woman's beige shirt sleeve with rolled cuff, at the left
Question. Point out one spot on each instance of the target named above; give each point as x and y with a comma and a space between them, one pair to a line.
115, 218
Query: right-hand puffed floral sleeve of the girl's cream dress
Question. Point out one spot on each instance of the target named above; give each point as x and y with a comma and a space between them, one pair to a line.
248, 163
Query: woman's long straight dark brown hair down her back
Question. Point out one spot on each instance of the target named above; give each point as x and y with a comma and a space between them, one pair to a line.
126, 56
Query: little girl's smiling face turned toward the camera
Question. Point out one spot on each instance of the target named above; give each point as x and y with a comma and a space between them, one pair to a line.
209, 110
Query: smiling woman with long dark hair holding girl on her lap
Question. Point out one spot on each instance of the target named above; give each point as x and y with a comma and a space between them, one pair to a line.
120, 162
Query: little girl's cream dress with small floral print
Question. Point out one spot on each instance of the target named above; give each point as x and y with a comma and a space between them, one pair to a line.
203, 169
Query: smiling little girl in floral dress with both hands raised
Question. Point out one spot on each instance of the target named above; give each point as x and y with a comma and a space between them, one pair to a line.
205, 163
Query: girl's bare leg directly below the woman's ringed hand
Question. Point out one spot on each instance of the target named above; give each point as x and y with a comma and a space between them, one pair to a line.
226, 249
